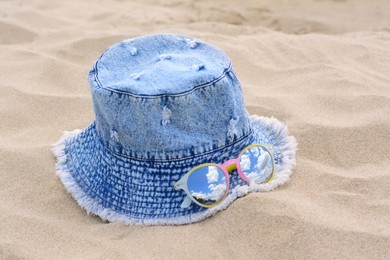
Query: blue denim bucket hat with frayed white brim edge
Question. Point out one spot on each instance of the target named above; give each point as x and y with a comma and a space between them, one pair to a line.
163, 105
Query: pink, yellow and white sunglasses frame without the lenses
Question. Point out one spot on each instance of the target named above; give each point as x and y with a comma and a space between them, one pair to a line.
226, 167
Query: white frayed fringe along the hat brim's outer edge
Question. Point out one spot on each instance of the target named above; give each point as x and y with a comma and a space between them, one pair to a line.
287, 145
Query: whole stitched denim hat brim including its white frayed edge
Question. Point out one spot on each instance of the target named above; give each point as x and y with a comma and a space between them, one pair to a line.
132, 191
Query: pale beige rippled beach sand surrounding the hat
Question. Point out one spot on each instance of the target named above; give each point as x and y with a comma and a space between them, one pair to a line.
321, 66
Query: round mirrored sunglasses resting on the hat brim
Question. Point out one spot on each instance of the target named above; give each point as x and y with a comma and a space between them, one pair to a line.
208, 184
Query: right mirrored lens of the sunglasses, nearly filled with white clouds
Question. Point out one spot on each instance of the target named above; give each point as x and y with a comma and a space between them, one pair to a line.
256, 164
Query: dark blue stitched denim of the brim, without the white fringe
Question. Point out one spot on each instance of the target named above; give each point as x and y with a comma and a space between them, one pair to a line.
140, 189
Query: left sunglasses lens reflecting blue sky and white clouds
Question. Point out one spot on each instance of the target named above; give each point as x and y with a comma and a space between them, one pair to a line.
207, 185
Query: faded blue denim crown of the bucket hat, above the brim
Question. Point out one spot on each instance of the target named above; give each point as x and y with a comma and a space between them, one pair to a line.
166, 97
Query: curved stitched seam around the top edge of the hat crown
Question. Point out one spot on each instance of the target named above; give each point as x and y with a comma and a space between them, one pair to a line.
100, 85
